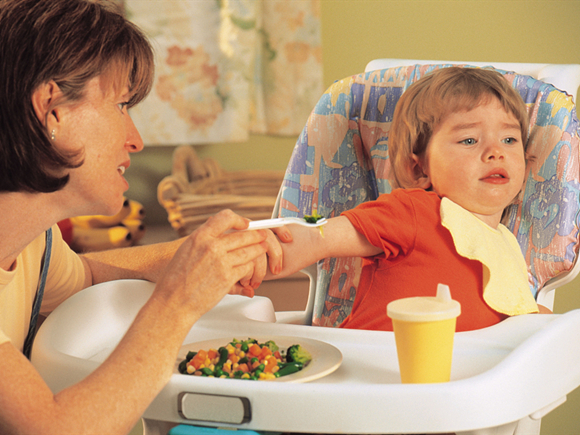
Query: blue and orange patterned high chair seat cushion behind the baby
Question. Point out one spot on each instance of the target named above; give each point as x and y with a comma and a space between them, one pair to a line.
341, 160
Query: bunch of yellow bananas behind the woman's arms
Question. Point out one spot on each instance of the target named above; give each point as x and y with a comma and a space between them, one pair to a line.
97, 233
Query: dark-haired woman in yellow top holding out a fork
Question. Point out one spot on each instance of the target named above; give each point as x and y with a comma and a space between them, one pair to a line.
70, 70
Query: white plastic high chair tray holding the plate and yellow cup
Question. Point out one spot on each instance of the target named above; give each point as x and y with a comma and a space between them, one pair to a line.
494, 375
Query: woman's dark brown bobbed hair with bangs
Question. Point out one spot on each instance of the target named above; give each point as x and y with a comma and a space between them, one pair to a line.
69, 42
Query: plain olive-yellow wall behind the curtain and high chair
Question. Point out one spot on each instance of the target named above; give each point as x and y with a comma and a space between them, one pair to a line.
356, 31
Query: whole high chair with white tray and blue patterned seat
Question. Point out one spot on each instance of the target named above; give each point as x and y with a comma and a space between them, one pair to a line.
504, 378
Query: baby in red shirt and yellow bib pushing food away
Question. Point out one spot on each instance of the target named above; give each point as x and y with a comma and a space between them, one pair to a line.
457, 149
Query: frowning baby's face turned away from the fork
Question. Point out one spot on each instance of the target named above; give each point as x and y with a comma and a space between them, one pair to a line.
476, 159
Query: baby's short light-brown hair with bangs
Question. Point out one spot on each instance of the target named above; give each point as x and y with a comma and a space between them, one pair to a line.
428, 101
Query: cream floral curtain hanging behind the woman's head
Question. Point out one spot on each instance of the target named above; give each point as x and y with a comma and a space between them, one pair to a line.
228, 68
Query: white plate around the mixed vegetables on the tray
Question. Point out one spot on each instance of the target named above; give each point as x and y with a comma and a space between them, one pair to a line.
325, 357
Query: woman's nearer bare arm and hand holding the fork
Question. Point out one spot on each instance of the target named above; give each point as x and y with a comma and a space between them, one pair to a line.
114, 396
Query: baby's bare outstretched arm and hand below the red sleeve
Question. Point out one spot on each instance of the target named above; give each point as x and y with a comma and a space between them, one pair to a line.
340, 239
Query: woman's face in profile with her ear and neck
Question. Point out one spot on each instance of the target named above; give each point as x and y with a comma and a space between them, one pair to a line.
100, 127
